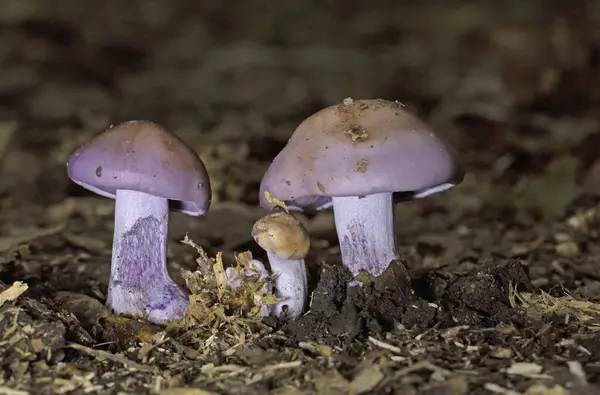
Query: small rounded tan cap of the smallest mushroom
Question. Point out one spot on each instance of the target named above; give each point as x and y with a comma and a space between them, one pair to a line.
283, 235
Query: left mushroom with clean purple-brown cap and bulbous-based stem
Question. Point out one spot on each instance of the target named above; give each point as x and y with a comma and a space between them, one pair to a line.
148, 171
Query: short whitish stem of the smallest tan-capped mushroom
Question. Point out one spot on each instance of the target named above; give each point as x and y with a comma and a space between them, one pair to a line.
290, 284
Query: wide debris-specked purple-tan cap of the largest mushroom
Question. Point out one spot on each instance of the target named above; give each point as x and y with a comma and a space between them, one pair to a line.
357, 148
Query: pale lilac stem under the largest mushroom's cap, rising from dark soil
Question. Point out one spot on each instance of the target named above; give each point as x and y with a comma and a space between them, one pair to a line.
366, 232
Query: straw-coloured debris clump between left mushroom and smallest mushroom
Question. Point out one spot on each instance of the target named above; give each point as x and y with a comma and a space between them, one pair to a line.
220, 315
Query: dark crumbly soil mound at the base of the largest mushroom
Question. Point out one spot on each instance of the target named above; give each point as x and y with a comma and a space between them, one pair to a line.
441, 299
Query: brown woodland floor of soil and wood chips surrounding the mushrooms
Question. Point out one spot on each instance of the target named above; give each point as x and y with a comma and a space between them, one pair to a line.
504, 289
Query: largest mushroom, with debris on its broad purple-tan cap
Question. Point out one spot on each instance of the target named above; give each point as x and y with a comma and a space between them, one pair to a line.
361, 156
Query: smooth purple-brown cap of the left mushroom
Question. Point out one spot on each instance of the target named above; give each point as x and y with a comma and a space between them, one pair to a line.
142, 156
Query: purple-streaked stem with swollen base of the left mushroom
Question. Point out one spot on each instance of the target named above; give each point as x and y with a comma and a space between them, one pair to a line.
139, 282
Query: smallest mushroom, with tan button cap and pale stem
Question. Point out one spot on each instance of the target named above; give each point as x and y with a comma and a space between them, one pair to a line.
286, 242
